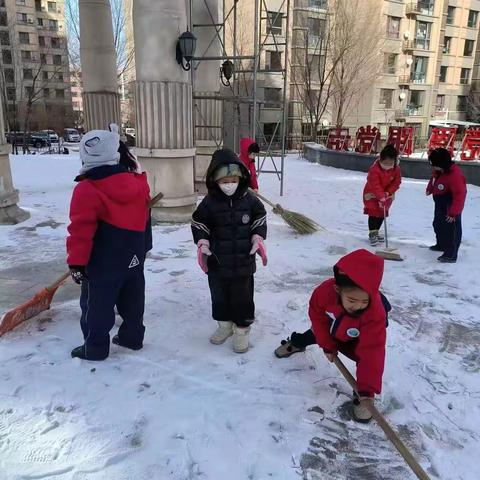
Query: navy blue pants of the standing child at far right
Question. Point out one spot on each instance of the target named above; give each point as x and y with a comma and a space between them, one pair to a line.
449, 235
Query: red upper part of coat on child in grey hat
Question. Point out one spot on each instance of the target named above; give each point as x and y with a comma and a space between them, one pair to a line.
120, 200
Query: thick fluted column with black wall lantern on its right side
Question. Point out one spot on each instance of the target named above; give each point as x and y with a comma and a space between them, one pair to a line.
163, 95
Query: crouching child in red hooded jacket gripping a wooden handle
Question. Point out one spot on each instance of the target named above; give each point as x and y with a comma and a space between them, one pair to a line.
350, 315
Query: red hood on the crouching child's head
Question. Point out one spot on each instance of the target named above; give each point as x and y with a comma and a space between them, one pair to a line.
363, 268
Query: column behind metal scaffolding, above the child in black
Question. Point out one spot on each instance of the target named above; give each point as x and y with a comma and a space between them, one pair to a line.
208, 111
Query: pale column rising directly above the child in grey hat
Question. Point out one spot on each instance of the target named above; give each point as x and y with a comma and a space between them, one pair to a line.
101, 101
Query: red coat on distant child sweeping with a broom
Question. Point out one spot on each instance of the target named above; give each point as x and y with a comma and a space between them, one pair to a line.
380, 182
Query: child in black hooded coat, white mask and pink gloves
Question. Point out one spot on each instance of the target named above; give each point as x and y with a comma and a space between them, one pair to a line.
229, 227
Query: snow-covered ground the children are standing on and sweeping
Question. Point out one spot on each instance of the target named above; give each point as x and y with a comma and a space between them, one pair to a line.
184, 409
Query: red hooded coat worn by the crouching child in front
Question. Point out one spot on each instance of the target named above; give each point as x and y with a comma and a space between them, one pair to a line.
360, 338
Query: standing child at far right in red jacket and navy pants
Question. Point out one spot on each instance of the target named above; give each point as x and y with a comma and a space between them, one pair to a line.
449, 191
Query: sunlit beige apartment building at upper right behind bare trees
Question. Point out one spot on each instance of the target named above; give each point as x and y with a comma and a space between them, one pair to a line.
428, 60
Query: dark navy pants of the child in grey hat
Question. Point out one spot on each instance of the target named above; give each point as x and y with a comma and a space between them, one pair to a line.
97, 301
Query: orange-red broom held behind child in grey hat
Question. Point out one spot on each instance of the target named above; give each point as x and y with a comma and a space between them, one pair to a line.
42, 299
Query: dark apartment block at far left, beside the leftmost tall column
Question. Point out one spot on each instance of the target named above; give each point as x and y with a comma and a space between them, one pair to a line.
34, 64
